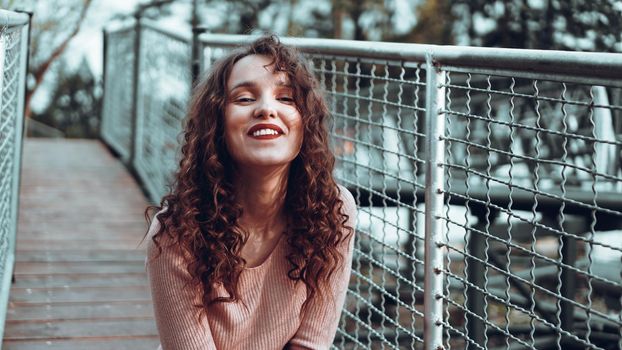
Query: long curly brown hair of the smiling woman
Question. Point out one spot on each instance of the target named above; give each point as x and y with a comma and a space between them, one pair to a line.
201, 213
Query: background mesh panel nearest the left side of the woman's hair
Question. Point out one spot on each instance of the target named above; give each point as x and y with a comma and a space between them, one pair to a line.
163, 93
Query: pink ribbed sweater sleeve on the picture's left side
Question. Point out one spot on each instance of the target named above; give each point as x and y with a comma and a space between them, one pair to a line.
173, 300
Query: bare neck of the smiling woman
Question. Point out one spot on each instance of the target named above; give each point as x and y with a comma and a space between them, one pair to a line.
261, 193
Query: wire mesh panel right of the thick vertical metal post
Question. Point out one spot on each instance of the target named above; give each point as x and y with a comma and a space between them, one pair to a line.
533, 255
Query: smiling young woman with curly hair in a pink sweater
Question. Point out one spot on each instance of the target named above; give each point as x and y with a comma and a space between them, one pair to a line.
252, 248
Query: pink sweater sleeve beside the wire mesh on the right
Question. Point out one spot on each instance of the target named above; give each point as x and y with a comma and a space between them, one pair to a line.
320, 319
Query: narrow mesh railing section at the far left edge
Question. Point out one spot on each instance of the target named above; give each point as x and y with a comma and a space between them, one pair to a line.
13, 62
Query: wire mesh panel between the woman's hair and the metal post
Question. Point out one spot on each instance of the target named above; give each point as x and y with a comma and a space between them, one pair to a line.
377, 138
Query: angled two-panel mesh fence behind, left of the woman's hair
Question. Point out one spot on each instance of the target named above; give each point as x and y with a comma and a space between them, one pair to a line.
145, 99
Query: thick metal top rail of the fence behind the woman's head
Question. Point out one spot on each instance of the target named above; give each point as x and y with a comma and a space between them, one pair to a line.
601, 68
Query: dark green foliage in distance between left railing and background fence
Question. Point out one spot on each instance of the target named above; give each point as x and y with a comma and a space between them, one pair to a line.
76, 104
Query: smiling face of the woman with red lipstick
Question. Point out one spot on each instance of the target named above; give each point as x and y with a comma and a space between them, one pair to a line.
263, 126
